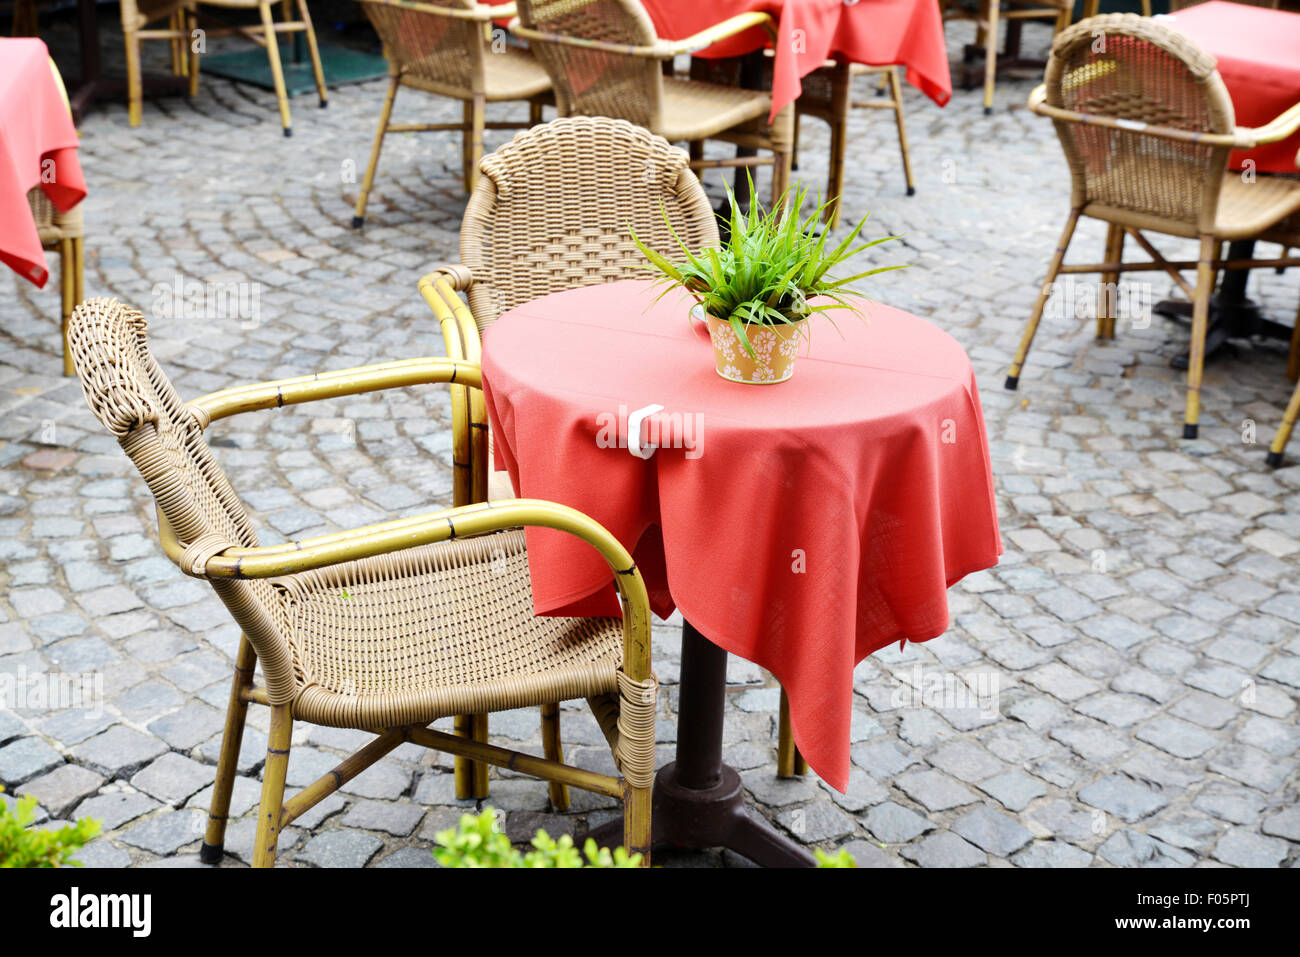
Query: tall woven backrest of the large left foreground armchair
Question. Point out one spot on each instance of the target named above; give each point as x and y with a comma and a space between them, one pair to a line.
133, 399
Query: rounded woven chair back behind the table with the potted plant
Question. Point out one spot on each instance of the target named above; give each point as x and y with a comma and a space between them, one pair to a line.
557, 206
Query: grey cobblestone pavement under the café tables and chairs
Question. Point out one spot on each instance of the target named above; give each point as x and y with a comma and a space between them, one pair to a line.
1142, 629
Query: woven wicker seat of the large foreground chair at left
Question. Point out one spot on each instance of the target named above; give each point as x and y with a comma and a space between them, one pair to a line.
437, 631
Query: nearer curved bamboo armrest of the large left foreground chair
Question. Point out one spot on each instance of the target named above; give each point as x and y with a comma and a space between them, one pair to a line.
276, 561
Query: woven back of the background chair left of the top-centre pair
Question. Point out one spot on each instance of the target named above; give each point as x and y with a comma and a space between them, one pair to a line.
439, 53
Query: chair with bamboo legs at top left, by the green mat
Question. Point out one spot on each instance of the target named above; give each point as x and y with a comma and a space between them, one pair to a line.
184, 20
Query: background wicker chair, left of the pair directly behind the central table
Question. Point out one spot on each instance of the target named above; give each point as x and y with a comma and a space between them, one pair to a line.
450, 51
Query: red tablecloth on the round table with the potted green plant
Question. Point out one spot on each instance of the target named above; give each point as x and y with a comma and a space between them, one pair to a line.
801, 526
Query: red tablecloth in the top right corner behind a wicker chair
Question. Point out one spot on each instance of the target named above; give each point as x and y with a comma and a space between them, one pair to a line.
1259, 58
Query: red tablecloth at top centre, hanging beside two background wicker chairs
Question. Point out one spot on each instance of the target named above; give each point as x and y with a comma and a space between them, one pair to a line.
876, 33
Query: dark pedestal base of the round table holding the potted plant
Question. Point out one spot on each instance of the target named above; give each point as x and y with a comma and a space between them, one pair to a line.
699, 802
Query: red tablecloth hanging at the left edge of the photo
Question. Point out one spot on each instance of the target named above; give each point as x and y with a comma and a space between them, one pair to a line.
34, 128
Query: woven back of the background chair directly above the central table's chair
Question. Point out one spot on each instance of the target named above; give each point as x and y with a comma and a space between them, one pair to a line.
599, 83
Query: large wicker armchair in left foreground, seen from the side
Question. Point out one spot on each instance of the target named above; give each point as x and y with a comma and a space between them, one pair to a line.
383, 629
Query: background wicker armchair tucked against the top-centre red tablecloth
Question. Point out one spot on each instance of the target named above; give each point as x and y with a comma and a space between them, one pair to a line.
605, 60
